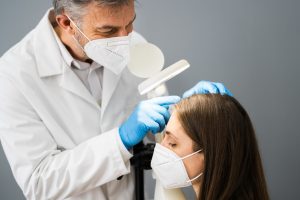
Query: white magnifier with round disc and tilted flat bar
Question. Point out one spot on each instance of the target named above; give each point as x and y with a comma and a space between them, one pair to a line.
147, 61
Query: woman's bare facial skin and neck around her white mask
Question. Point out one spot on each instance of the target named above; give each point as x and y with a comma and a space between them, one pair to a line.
176, 139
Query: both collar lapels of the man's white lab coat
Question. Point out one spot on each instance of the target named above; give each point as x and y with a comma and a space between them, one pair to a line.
51, 62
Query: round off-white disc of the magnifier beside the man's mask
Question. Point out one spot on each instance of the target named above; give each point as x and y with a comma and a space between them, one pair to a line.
146, 59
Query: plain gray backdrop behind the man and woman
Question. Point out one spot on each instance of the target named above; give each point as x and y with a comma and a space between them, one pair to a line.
252, 46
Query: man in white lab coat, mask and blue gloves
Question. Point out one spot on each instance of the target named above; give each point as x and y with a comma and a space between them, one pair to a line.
69, 108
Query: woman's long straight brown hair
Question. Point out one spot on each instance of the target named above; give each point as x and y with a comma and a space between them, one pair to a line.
220, 126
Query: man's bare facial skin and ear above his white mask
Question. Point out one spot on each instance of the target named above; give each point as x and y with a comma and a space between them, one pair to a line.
99, 22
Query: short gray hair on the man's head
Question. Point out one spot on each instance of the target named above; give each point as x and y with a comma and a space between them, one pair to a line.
75, 7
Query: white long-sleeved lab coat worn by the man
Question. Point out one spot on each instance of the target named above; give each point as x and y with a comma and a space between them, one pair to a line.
59, 143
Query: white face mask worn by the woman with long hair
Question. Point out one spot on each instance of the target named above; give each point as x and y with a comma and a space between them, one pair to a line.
169, 169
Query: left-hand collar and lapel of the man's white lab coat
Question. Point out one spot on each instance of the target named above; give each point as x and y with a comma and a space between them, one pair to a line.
51, 64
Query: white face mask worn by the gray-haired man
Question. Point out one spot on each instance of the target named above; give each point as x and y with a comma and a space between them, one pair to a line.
112, 53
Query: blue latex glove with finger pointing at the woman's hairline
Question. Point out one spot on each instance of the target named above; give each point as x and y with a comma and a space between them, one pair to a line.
150, 115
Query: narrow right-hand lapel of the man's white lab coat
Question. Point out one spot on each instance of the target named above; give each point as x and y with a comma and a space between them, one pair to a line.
110, 82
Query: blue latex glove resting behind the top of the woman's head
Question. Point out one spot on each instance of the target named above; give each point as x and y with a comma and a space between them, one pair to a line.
205, 87
